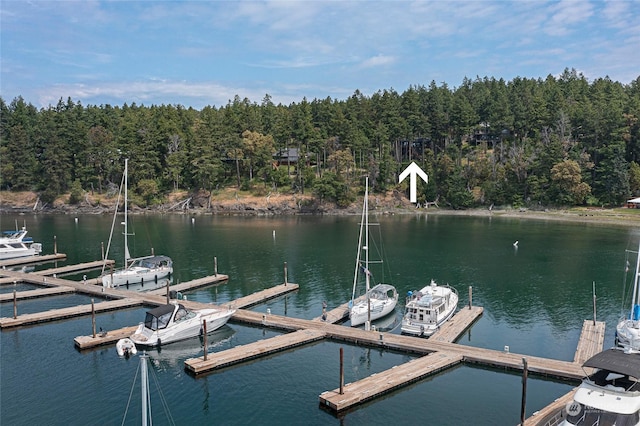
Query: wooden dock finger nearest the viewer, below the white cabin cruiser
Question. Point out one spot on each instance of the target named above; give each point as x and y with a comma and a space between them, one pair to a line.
381, 383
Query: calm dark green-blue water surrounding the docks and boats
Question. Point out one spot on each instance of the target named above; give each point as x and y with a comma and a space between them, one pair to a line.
535, 298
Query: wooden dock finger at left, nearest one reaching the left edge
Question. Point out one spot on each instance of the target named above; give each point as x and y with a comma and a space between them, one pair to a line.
75, 311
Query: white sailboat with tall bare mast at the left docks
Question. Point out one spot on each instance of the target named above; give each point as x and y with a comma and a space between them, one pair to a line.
143, 273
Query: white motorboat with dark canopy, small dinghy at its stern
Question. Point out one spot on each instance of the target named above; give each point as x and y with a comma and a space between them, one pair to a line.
174, 322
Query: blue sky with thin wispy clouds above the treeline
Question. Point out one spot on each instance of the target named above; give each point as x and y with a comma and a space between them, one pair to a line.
204, 53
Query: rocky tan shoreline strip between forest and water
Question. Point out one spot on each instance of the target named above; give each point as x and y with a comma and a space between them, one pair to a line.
232, 202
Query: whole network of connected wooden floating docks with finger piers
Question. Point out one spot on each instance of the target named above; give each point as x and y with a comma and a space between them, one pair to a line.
435, 354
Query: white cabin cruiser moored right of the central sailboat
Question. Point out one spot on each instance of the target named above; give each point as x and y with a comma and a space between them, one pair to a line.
426, 310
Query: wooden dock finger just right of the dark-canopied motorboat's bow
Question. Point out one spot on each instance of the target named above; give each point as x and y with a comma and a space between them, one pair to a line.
254, 350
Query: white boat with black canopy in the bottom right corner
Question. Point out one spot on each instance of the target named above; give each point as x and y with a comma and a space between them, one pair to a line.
609, 396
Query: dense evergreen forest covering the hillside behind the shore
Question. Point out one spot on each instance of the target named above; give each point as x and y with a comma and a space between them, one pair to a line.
558, 141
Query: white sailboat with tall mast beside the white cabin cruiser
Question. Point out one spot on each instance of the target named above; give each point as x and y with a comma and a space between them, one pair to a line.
378, 301
